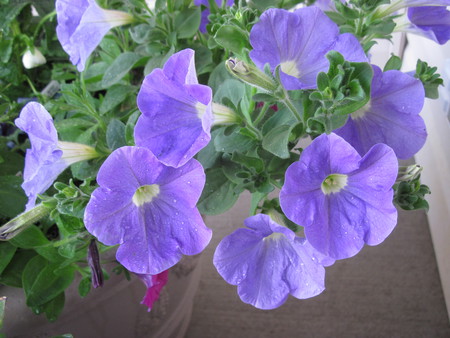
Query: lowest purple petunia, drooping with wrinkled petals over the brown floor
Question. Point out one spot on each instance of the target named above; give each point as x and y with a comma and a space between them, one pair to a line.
268, 262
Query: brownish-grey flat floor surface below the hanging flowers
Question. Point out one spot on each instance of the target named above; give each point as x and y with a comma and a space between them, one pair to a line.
391, 290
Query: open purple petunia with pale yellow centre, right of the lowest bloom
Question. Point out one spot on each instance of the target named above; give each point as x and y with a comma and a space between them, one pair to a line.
342, 199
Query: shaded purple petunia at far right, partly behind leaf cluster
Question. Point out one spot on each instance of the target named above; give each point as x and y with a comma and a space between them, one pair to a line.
391, 116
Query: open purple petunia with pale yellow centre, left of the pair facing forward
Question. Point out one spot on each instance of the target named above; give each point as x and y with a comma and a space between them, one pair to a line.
149, 209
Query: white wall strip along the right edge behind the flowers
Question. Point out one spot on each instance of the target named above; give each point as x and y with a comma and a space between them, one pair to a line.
435, 155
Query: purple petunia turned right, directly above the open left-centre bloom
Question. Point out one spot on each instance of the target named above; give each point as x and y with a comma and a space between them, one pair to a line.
176, 111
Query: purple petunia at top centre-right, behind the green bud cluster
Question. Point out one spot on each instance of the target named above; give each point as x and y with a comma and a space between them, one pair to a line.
298, 43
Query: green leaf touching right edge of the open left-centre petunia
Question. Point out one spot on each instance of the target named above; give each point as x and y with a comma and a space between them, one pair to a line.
219, 193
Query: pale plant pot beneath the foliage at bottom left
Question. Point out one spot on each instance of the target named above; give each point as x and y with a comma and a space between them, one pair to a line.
113, 310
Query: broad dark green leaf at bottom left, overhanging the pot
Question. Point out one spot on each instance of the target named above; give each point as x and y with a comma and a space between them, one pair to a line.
42, 281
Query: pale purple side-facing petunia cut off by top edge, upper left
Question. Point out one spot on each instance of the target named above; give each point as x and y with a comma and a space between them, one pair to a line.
82, 24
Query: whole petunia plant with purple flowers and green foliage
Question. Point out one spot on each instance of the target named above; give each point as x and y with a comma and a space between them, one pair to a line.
139, 121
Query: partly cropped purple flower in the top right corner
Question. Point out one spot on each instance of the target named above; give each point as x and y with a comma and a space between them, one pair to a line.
432, 22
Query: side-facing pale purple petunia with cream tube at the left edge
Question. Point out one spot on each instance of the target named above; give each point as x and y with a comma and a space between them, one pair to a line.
47, 157
